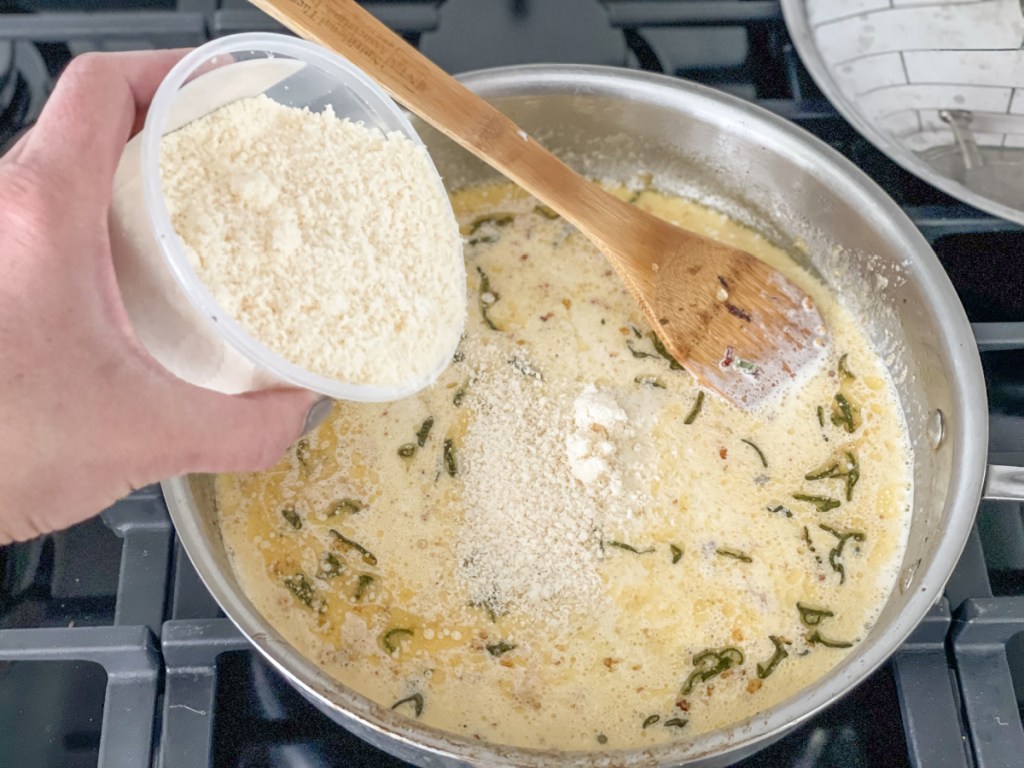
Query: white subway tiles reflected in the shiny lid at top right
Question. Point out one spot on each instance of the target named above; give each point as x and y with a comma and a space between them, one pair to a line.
902, 62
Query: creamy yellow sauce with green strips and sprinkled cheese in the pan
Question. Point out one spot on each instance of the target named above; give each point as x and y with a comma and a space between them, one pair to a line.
544, 566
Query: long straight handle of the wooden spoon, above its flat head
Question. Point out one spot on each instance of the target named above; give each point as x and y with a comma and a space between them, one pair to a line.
428, 91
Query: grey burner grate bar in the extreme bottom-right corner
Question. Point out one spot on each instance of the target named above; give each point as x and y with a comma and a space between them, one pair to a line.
984, 629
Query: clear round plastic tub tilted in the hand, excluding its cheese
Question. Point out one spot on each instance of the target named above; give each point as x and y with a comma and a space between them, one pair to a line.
174, 315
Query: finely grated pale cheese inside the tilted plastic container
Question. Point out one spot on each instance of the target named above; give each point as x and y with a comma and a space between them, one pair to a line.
330, 243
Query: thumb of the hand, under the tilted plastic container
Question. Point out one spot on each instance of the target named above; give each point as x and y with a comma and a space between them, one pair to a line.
241, 433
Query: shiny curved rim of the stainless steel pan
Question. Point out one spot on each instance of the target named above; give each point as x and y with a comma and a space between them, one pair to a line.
967, 473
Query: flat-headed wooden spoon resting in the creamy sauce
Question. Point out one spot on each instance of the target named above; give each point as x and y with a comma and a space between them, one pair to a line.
735, 323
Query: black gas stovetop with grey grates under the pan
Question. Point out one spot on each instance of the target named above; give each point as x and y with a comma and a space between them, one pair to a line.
113, 654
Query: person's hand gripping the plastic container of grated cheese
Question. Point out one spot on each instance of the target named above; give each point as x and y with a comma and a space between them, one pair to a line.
87, 415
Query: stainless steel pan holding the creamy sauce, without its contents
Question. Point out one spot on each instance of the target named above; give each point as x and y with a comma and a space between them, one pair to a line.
805, 197
